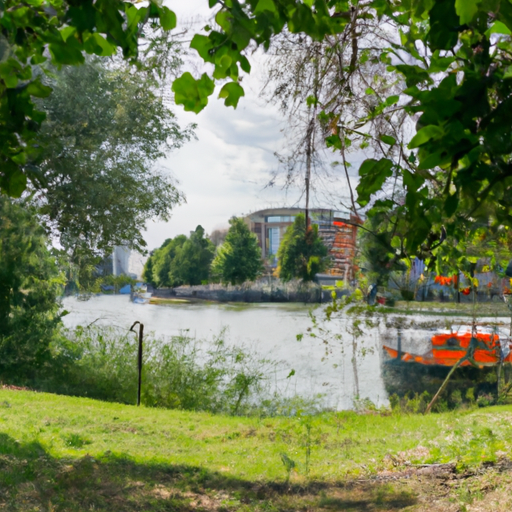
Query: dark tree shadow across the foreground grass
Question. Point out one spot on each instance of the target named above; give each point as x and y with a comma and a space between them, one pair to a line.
33, 480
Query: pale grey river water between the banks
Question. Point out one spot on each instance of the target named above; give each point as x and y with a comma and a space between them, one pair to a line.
269, 329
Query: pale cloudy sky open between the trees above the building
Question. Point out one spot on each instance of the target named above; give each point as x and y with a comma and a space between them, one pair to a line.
225, 171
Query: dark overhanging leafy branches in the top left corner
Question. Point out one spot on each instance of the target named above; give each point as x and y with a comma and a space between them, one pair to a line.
34, 34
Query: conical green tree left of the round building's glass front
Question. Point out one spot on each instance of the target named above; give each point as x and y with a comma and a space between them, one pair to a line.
238, 259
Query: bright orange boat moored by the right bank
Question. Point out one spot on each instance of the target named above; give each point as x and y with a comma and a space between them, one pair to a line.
477, 349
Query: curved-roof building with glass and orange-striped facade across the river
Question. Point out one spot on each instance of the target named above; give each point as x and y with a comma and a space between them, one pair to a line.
269, 226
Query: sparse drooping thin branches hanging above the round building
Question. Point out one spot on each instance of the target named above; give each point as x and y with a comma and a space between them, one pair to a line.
323, 85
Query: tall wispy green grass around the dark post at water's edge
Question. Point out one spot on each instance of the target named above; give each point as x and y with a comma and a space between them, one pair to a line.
180, 372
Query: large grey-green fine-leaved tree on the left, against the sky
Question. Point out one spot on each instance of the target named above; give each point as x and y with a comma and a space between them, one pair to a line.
99, 151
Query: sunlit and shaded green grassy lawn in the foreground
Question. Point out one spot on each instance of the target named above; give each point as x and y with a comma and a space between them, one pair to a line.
62, 453
